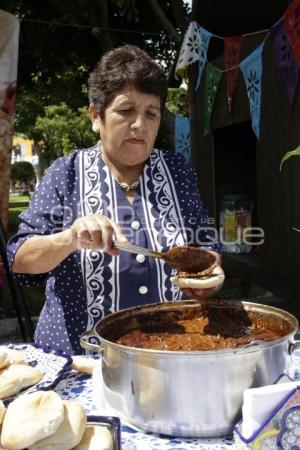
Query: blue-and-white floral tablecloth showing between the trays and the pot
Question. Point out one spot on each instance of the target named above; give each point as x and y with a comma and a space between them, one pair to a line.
81, 387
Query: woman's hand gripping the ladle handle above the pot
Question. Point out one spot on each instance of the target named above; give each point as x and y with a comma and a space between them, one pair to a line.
99, 230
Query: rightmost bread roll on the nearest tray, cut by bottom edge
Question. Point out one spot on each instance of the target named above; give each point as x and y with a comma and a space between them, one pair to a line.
96, 438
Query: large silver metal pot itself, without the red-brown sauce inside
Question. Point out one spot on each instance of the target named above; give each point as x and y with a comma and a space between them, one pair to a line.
198, 393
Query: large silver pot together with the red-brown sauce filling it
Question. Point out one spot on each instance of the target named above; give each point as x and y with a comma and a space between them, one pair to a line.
196, 362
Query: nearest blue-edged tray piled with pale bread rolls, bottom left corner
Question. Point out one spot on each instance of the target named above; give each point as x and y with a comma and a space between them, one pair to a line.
41, 420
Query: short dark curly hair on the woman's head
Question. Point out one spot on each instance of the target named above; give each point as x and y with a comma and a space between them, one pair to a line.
123, 65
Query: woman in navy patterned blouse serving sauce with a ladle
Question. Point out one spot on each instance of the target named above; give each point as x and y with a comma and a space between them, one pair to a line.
121, 188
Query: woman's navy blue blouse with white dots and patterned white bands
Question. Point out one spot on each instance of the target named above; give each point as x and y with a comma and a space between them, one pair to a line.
166, 211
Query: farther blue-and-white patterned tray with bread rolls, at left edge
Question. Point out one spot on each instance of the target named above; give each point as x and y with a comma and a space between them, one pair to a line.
28, 368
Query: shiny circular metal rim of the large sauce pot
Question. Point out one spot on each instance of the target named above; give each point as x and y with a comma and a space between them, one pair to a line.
254, 347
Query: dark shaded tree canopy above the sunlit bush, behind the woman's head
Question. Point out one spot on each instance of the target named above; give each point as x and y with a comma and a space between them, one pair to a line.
60, 42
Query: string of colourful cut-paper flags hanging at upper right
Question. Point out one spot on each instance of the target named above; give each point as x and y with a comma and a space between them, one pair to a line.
285, 34
